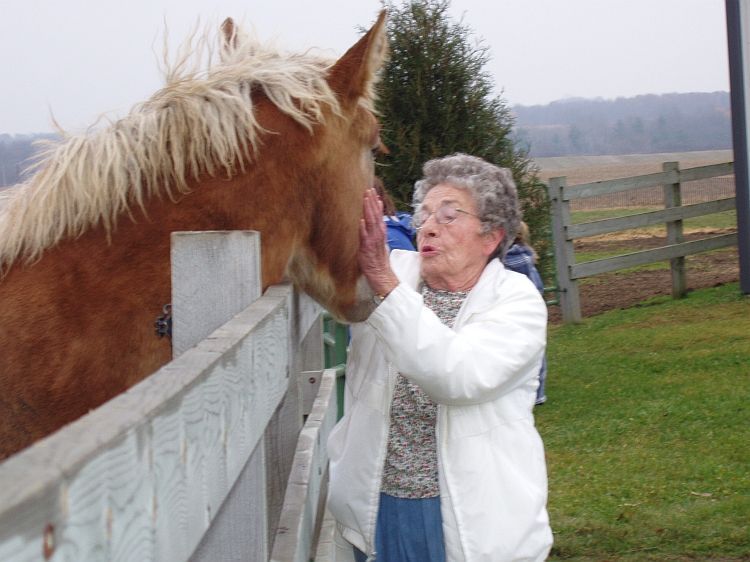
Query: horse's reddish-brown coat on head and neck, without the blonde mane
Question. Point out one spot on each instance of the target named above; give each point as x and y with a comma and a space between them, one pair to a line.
77, 325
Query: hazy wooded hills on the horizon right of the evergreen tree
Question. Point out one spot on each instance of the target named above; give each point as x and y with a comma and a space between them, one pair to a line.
638, 125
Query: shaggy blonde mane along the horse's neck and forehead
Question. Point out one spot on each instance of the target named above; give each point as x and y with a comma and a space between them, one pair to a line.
201, 122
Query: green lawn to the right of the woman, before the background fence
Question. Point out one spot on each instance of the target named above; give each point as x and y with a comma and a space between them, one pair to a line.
647, 430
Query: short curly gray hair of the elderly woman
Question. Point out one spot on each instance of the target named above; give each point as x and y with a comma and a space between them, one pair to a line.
492, 188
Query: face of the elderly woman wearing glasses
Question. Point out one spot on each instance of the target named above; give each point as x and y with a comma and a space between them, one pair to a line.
453, 255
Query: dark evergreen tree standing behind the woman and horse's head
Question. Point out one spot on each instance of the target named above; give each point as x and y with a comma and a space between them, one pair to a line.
436, 99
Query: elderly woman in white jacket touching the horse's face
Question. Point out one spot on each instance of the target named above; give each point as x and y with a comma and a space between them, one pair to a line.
436, 457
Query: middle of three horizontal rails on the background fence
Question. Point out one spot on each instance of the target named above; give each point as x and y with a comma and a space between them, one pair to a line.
639, 220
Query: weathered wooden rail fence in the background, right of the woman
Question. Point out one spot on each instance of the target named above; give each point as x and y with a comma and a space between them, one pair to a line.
671, 178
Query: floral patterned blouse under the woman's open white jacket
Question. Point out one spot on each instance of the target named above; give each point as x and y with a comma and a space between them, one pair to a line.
410, 469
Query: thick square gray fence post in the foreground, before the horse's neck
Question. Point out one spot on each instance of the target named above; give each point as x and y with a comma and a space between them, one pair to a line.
215, 274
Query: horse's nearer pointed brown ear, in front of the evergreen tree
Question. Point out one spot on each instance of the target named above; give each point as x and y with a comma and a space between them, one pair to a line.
355, 73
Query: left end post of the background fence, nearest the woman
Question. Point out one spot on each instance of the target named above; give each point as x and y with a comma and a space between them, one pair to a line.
570, 301
